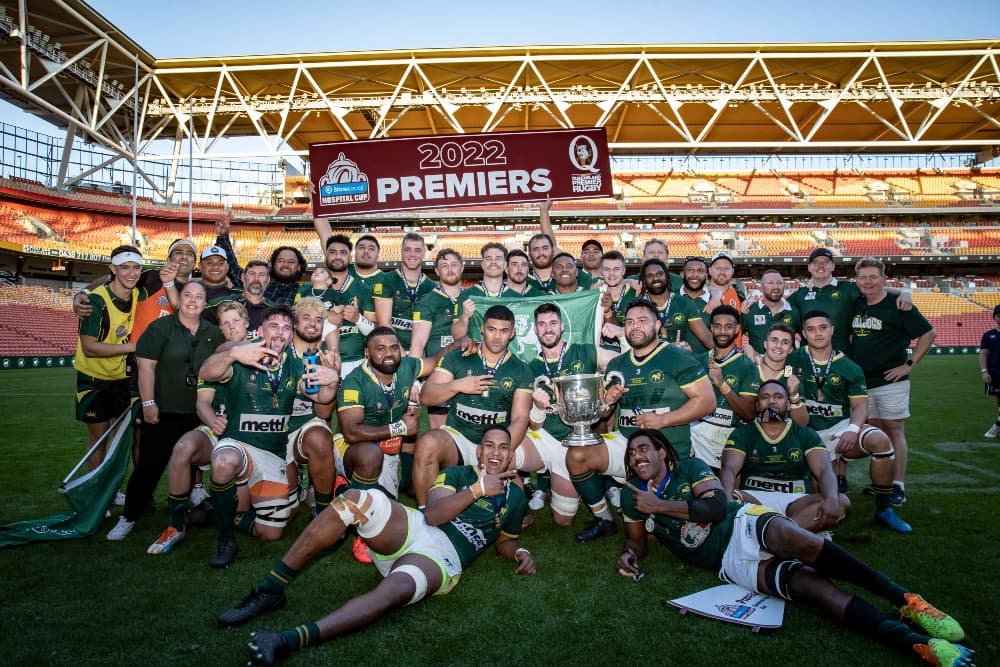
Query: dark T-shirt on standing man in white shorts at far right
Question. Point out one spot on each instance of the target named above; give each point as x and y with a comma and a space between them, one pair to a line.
882, 332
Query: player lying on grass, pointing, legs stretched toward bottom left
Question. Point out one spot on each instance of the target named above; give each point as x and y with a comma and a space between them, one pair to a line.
418, 554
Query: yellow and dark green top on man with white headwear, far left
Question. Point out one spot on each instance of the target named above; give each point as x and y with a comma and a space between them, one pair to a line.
110, 321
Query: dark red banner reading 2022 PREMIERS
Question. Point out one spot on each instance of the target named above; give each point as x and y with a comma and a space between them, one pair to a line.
458, 170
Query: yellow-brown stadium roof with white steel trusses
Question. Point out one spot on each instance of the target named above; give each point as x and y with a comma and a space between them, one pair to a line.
66, 63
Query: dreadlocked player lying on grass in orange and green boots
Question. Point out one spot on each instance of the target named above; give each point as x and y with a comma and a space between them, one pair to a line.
682, 504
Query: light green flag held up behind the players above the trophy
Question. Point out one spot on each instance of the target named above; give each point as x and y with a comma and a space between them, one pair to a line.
579, 315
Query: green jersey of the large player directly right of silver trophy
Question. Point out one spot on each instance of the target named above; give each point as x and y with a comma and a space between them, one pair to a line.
656, 384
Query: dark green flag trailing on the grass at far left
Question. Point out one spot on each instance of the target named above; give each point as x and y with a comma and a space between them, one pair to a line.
89, 495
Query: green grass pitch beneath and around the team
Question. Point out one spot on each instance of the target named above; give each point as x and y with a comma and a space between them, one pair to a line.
97, 602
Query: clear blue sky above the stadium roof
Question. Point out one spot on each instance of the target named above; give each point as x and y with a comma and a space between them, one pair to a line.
191, 28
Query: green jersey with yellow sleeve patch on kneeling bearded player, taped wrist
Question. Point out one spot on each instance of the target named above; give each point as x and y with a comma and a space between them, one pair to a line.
382, 404
